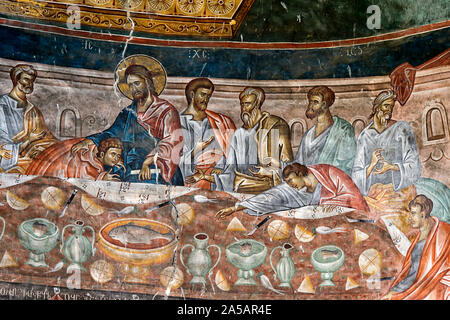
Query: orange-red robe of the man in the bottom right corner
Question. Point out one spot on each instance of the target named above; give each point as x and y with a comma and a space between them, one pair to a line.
433, 276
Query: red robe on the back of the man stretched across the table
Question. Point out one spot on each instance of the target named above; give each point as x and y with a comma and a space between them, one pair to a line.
337, 188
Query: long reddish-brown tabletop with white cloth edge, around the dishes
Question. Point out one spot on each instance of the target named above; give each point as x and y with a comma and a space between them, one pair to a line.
366, 287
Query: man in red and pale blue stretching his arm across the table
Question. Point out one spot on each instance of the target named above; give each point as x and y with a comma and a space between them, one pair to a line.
320, 184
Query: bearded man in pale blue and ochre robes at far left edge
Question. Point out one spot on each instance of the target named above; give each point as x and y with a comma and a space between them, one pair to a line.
23, 132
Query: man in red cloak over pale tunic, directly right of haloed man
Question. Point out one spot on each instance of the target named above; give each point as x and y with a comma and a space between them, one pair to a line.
207, 134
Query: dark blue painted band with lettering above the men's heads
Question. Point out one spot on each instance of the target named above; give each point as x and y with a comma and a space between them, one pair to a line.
367, 60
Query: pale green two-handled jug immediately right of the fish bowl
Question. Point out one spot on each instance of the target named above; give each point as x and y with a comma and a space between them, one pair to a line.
199, 261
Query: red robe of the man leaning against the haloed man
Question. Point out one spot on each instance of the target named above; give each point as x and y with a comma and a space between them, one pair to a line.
58, 161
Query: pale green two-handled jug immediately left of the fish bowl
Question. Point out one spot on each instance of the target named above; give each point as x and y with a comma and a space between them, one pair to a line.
77, 248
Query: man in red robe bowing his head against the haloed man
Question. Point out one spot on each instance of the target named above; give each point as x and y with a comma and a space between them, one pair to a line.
102, 163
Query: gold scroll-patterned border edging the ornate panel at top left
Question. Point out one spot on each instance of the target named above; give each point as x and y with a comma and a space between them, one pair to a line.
104, 18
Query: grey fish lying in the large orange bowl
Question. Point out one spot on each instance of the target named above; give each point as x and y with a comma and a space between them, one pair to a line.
132, 233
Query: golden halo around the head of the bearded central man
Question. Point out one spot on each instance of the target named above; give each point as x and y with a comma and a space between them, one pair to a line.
154, 66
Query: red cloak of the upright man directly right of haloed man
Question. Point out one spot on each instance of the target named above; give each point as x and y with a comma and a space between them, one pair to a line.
223, 128
